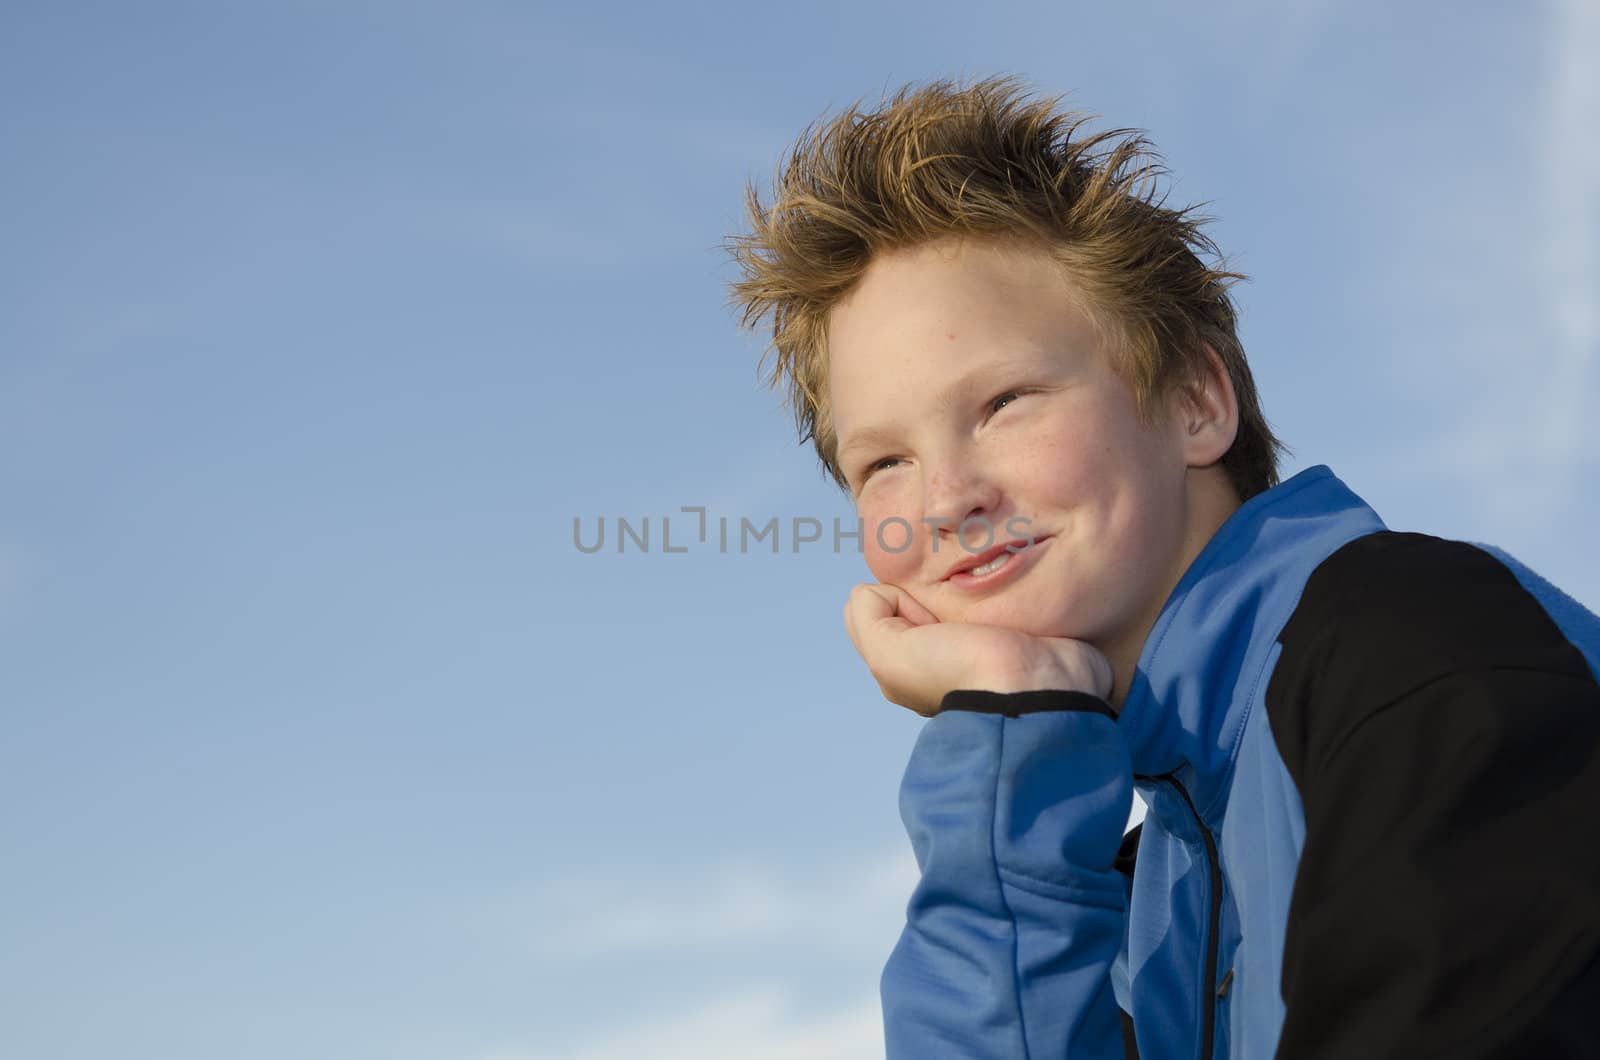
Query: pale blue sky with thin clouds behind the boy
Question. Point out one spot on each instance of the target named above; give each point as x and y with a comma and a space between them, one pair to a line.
321, 324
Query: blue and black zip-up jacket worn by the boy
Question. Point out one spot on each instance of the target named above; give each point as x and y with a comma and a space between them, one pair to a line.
1372, 773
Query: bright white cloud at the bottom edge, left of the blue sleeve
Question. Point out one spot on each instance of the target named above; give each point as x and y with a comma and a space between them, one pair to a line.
761, 1024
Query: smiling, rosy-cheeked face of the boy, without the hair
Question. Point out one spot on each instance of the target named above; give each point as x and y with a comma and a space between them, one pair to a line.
1038, 427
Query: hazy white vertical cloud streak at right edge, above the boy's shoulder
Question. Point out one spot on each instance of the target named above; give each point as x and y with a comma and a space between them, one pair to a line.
1516, 441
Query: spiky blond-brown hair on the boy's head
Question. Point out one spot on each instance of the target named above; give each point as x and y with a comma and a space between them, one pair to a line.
988, 163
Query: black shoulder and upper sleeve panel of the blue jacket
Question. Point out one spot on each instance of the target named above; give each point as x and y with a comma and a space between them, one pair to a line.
1446, 741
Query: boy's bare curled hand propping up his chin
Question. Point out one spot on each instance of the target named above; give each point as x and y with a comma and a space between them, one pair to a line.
916, 659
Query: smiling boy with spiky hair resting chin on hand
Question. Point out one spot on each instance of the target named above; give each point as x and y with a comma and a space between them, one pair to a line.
1369, 758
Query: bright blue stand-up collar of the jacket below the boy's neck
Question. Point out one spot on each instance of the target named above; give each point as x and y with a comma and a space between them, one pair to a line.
1209, 649
